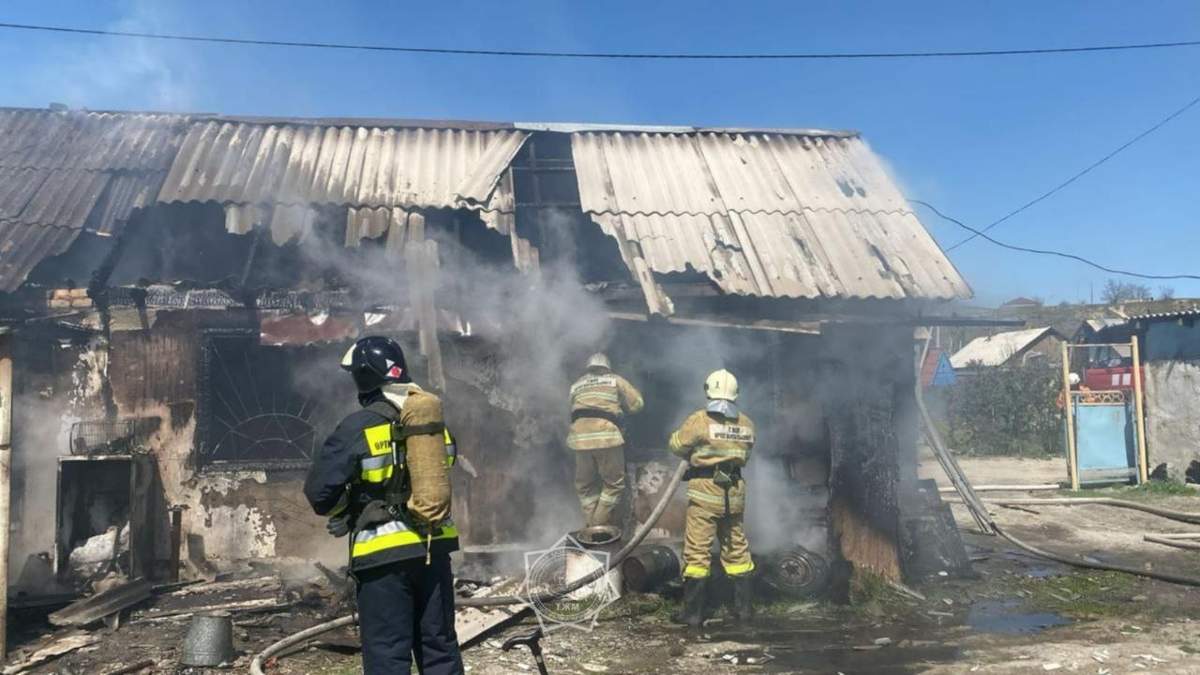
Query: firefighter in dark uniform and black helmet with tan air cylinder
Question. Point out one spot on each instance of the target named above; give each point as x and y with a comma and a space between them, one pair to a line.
383, 479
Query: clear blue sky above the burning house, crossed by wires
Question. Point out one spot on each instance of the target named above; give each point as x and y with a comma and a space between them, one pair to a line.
976, 138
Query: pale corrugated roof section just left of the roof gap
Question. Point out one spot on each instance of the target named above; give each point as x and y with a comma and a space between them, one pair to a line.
266, 164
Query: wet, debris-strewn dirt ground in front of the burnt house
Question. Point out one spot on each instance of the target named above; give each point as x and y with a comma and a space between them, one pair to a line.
1022, 614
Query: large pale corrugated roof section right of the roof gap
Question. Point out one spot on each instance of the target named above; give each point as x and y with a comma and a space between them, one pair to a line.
761, 214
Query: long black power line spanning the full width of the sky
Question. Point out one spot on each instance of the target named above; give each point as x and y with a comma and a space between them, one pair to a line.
830, 56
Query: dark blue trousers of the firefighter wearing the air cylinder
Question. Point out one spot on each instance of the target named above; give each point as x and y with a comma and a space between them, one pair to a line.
406, 616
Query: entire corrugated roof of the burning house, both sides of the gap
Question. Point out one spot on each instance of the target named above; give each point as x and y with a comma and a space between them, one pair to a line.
763, 213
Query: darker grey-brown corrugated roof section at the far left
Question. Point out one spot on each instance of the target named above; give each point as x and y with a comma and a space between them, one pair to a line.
63, 174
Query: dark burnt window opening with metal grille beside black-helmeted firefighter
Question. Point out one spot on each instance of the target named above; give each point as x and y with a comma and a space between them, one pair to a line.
257, 411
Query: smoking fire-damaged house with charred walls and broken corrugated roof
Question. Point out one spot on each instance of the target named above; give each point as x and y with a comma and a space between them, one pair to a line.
178, 291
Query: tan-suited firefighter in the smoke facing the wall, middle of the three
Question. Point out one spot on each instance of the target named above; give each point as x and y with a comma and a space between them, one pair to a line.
599, 403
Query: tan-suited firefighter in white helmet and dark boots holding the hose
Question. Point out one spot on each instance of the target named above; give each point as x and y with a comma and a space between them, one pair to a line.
716, 441
